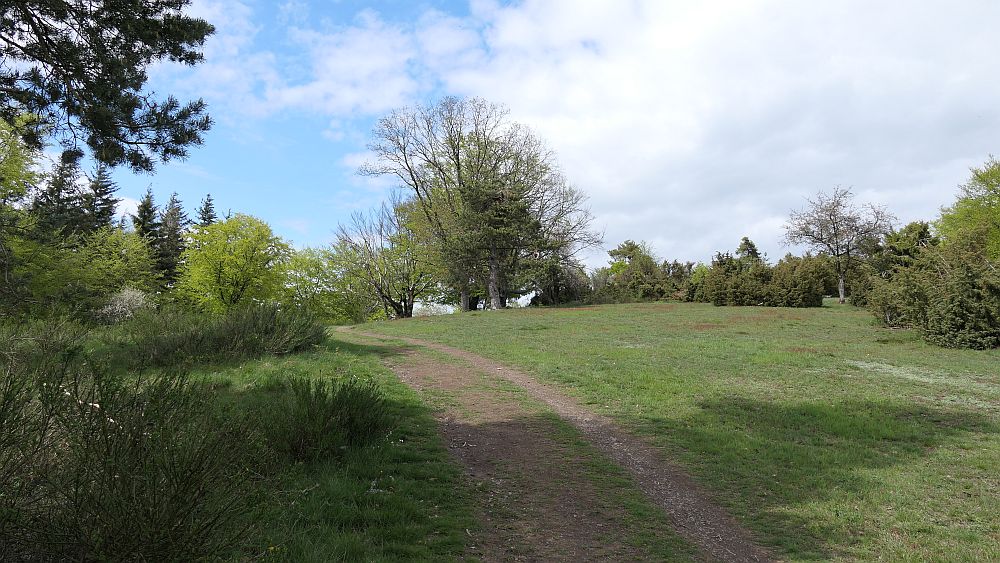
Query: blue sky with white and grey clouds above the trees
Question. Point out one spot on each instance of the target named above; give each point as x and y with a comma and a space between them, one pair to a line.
688, 124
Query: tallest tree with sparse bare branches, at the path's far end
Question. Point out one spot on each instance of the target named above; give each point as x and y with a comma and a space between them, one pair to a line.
487, 188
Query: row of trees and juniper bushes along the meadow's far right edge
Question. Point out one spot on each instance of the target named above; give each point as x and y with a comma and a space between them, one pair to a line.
941, 276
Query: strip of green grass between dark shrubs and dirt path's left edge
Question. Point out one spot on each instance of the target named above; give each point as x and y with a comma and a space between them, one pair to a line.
400, 499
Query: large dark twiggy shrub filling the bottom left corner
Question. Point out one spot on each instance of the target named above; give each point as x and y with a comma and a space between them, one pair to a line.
100, 467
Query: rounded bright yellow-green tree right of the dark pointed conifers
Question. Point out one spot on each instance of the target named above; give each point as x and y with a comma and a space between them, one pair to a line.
235, 261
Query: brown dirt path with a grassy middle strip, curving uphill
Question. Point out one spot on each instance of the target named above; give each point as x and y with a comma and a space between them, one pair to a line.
546, 502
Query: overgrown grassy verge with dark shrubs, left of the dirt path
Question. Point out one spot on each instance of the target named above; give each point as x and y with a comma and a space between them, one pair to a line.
176, 446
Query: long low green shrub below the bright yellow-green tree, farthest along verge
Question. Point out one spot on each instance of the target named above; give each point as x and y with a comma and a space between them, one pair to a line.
180, 338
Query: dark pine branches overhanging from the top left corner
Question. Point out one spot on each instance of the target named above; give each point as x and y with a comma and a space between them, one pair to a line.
79, 66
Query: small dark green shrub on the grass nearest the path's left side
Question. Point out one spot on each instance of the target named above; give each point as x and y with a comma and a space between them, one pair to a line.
321, 419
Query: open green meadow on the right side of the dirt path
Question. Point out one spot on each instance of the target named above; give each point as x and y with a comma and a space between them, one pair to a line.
827, 435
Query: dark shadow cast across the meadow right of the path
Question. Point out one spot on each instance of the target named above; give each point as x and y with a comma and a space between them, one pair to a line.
769, 457
